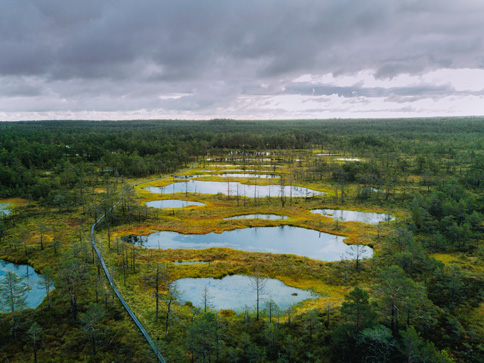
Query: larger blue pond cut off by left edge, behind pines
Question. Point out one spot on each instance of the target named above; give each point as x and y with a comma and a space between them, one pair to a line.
33, 297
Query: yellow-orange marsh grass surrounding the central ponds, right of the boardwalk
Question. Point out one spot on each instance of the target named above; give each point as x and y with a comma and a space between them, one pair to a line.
330, 280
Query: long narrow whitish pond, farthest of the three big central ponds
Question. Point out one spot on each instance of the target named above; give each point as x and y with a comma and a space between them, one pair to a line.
234, 188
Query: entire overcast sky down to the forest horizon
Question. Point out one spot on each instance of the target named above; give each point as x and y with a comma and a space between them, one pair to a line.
242, 59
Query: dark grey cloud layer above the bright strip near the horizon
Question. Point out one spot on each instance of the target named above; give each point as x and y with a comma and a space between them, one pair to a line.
132, 52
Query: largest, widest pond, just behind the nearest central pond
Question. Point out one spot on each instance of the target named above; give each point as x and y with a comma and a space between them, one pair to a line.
280, 239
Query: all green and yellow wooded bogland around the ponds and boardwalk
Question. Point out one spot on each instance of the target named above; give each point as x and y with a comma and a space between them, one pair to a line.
420, 298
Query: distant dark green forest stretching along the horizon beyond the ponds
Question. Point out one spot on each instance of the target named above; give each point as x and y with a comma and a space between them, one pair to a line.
140, 148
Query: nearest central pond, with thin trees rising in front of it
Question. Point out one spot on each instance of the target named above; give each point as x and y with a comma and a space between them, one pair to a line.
238, 293
